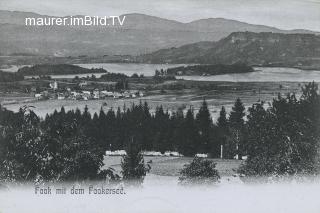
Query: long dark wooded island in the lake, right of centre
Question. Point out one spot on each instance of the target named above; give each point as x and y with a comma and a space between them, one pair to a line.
211, 69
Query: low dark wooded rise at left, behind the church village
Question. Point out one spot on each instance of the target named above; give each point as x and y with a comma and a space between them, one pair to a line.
56, 69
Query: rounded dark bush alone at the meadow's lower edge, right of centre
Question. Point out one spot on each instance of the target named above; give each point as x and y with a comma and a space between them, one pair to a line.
199, 171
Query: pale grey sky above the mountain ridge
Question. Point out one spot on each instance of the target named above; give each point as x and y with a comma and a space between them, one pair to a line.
284, 14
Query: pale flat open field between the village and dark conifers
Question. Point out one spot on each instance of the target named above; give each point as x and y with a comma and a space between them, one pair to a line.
217, 94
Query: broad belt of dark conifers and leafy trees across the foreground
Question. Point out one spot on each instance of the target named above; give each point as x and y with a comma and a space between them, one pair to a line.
282, 138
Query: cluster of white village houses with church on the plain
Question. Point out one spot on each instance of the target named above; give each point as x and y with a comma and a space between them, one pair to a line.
82, 93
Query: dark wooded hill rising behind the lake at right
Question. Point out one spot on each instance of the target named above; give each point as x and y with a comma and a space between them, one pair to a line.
272, 49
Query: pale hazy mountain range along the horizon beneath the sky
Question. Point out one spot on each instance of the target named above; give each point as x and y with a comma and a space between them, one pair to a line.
140, 34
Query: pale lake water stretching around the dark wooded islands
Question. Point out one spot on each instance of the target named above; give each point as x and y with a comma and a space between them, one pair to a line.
261, 74
